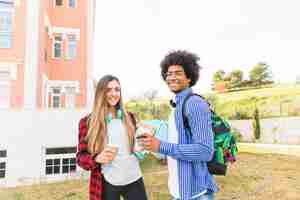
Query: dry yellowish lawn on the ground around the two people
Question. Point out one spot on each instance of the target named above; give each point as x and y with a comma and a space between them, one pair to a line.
252, 177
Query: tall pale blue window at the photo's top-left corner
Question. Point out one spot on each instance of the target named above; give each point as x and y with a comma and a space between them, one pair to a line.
6, 24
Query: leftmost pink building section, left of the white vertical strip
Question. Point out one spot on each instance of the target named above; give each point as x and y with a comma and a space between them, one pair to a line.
12, 53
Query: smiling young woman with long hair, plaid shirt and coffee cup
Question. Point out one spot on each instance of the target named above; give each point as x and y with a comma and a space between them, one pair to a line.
106, 139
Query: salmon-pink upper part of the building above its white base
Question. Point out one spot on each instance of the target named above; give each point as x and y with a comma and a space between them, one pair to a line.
44, 53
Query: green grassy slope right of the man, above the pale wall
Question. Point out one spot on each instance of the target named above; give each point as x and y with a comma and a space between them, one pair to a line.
272, 102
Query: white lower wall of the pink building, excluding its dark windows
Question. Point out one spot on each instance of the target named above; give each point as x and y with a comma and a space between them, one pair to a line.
25, 134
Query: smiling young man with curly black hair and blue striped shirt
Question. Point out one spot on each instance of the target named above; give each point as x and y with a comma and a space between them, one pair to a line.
187, 153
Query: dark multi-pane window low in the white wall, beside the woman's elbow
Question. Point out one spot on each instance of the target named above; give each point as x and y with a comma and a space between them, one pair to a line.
60, 160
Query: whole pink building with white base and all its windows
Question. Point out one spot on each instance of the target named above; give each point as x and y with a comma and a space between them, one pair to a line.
45, 86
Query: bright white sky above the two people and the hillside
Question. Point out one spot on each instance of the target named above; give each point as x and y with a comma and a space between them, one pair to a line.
131, 37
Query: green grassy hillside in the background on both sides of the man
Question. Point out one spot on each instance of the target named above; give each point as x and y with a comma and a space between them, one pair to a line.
277, 101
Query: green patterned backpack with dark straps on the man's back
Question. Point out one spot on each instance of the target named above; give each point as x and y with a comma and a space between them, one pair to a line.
224, 141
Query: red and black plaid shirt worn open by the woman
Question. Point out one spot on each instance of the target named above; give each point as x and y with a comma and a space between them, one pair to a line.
85, 161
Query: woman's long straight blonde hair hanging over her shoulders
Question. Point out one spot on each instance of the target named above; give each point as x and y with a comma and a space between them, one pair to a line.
97, 128
